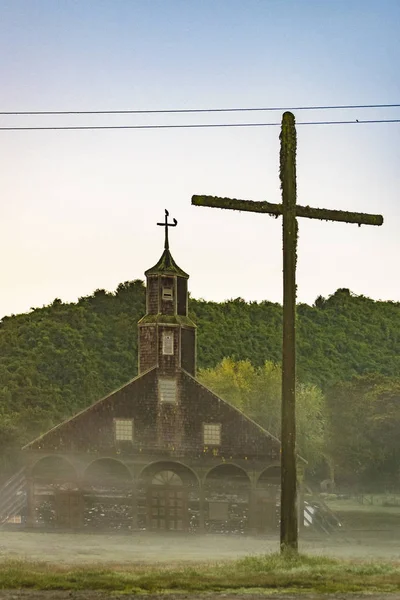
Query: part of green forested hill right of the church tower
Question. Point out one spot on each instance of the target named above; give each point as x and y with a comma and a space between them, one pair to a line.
338, 337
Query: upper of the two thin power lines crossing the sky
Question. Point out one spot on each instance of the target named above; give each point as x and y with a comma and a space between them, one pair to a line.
195, 110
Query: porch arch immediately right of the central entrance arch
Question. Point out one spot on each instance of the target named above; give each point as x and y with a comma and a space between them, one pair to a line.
227, 496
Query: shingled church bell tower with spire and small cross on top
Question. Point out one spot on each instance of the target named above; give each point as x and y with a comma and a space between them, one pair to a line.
167, 337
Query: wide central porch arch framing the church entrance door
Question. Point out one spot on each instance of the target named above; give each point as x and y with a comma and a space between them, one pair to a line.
169, 497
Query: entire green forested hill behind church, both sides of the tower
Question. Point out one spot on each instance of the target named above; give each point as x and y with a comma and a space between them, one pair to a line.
60, 358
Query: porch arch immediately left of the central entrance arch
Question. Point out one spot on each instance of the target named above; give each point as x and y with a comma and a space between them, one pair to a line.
108, 496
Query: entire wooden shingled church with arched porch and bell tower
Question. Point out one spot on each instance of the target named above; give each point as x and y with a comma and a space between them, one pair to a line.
162, 452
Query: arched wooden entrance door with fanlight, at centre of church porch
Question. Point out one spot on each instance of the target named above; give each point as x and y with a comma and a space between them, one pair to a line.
167, 502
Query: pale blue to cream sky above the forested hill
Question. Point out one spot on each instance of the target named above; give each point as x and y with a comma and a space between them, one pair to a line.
79, 207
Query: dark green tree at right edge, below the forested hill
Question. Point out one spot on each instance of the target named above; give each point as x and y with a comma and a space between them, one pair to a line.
364, 421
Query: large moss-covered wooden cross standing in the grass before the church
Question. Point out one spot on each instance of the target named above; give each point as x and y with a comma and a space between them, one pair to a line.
289, 211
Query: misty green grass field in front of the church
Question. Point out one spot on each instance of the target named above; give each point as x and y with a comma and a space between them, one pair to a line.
363, 559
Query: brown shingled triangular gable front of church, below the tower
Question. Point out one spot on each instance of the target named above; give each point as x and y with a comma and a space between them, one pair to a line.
172, 427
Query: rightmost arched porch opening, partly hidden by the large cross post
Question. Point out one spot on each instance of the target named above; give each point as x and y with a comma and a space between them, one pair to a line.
268, 499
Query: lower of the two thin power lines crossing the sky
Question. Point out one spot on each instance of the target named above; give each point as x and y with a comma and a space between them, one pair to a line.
191, 126
